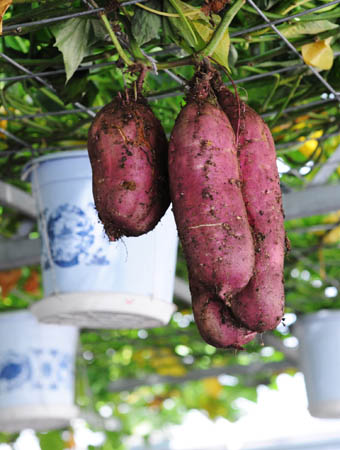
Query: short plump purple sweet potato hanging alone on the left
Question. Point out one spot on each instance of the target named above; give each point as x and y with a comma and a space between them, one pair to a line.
128, 153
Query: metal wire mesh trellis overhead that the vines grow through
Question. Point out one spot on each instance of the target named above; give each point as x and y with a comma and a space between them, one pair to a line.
28, 75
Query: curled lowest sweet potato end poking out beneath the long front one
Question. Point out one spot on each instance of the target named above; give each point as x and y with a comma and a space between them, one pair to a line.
216, 323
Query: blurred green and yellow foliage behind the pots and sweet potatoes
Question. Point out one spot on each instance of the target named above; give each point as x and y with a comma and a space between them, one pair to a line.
84, 67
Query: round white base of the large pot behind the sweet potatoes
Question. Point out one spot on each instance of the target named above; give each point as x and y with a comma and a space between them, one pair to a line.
103, 310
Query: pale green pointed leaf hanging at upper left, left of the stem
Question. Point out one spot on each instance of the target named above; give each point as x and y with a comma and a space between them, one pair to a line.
72, 39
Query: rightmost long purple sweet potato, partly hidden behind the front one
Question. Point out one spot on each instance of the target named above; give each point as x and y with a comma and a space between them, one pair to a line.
260, 305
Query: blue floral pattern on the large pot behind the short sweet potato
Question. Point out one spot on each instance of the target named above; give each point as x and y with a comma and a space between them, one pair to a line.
73, 238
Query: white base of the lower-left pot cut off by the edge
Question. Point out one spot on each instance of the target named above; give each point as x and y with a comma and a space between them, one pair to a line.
36, 417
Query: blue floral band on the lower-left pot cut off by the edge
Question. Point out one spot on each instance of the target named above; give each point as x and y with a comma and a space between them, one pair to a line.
47, 369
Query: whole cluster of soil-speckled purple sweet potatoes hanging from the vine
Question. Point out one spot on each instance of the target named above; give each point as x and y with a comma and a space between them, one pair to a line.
222, 180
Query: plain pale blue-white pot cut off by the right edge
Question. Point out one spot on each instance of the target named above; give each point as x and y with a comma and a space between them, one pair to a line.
319, 355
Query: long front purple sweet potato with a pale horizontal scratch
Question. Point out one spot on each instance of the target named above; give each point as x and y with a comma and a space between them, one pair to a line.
205, 190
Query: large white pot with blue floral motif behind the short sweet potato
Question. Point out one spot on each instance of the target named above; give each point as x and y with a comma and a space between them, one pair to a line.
89, 281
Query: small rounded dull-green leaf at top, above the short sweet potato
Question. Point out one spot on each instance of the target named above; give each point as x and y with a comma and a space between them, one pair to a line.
145, 25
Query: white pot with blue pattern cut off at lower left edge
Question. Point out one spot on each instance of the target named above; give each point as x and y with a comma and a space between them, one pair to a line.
37, 364
